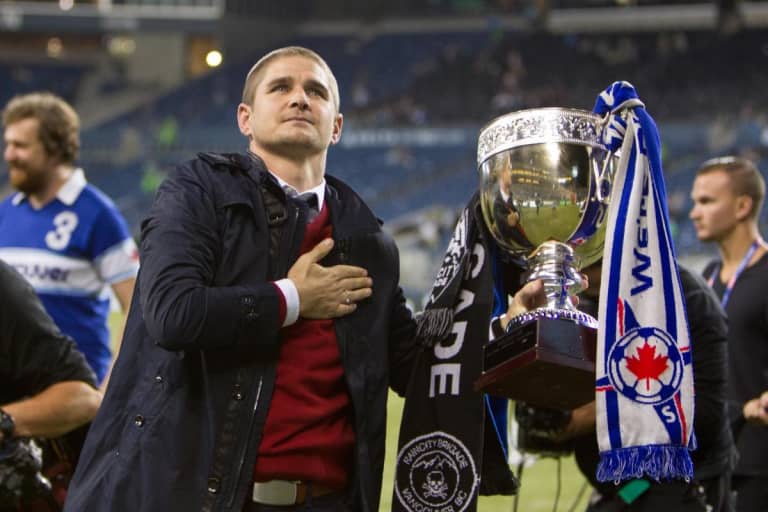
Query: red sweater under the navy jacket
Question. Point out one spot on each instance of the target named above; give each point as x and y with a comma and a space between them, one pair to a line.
308, 434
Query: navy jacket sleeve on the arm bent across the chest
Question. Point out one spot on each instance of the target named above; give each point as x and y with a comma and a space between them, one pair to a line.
181, 250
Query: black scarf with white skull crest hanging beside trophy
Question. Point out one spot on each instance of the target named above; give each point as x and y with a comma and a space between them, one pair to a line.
447, 441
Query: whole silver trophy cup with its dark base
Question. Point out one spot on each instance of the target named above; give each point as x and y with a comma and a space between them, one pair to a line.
544, 184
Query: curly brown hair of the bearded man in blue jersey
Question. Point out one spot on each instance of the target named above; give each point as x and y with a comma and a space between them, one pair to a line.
59, 130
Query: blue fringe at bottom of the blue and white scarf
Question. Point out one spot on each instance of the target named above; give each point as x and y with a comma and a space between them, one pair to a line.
659, 462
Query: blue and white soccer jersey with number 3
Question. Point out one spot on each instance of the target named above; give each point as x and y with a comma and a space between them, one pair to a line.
71, 250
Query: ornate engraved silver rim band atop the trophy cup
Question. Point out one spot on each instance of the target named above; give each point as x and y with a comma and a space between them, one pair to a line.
538, 125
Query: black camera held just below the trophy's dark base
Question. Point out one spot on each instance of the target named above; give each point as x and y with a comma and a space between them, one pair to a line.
539, 429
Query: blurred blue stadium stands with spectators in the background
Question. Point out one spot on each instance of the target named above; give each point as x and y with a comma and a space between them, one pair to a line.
705, 91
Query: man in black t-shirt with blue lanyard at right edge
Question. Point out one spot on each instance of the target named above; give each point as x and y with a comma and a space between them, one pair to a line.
727, 198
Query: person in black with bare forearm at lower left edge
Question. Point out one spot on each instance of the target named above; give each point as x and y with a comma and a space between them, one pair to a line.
47, 390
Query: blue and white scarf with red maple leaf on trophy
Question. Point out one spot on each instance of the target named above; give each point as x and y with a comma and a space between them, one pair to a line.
644, 386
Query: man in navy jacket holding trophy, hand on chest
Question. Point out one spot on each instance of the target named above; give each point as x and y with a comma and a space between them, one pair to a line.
258, 351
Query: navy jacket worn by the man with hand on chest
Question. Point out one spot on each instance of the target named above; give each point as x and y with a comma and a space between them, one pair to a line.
182, 418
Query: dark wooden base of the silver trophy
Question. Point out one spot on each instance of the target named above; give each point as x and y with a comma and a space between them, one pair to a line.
546, 363
